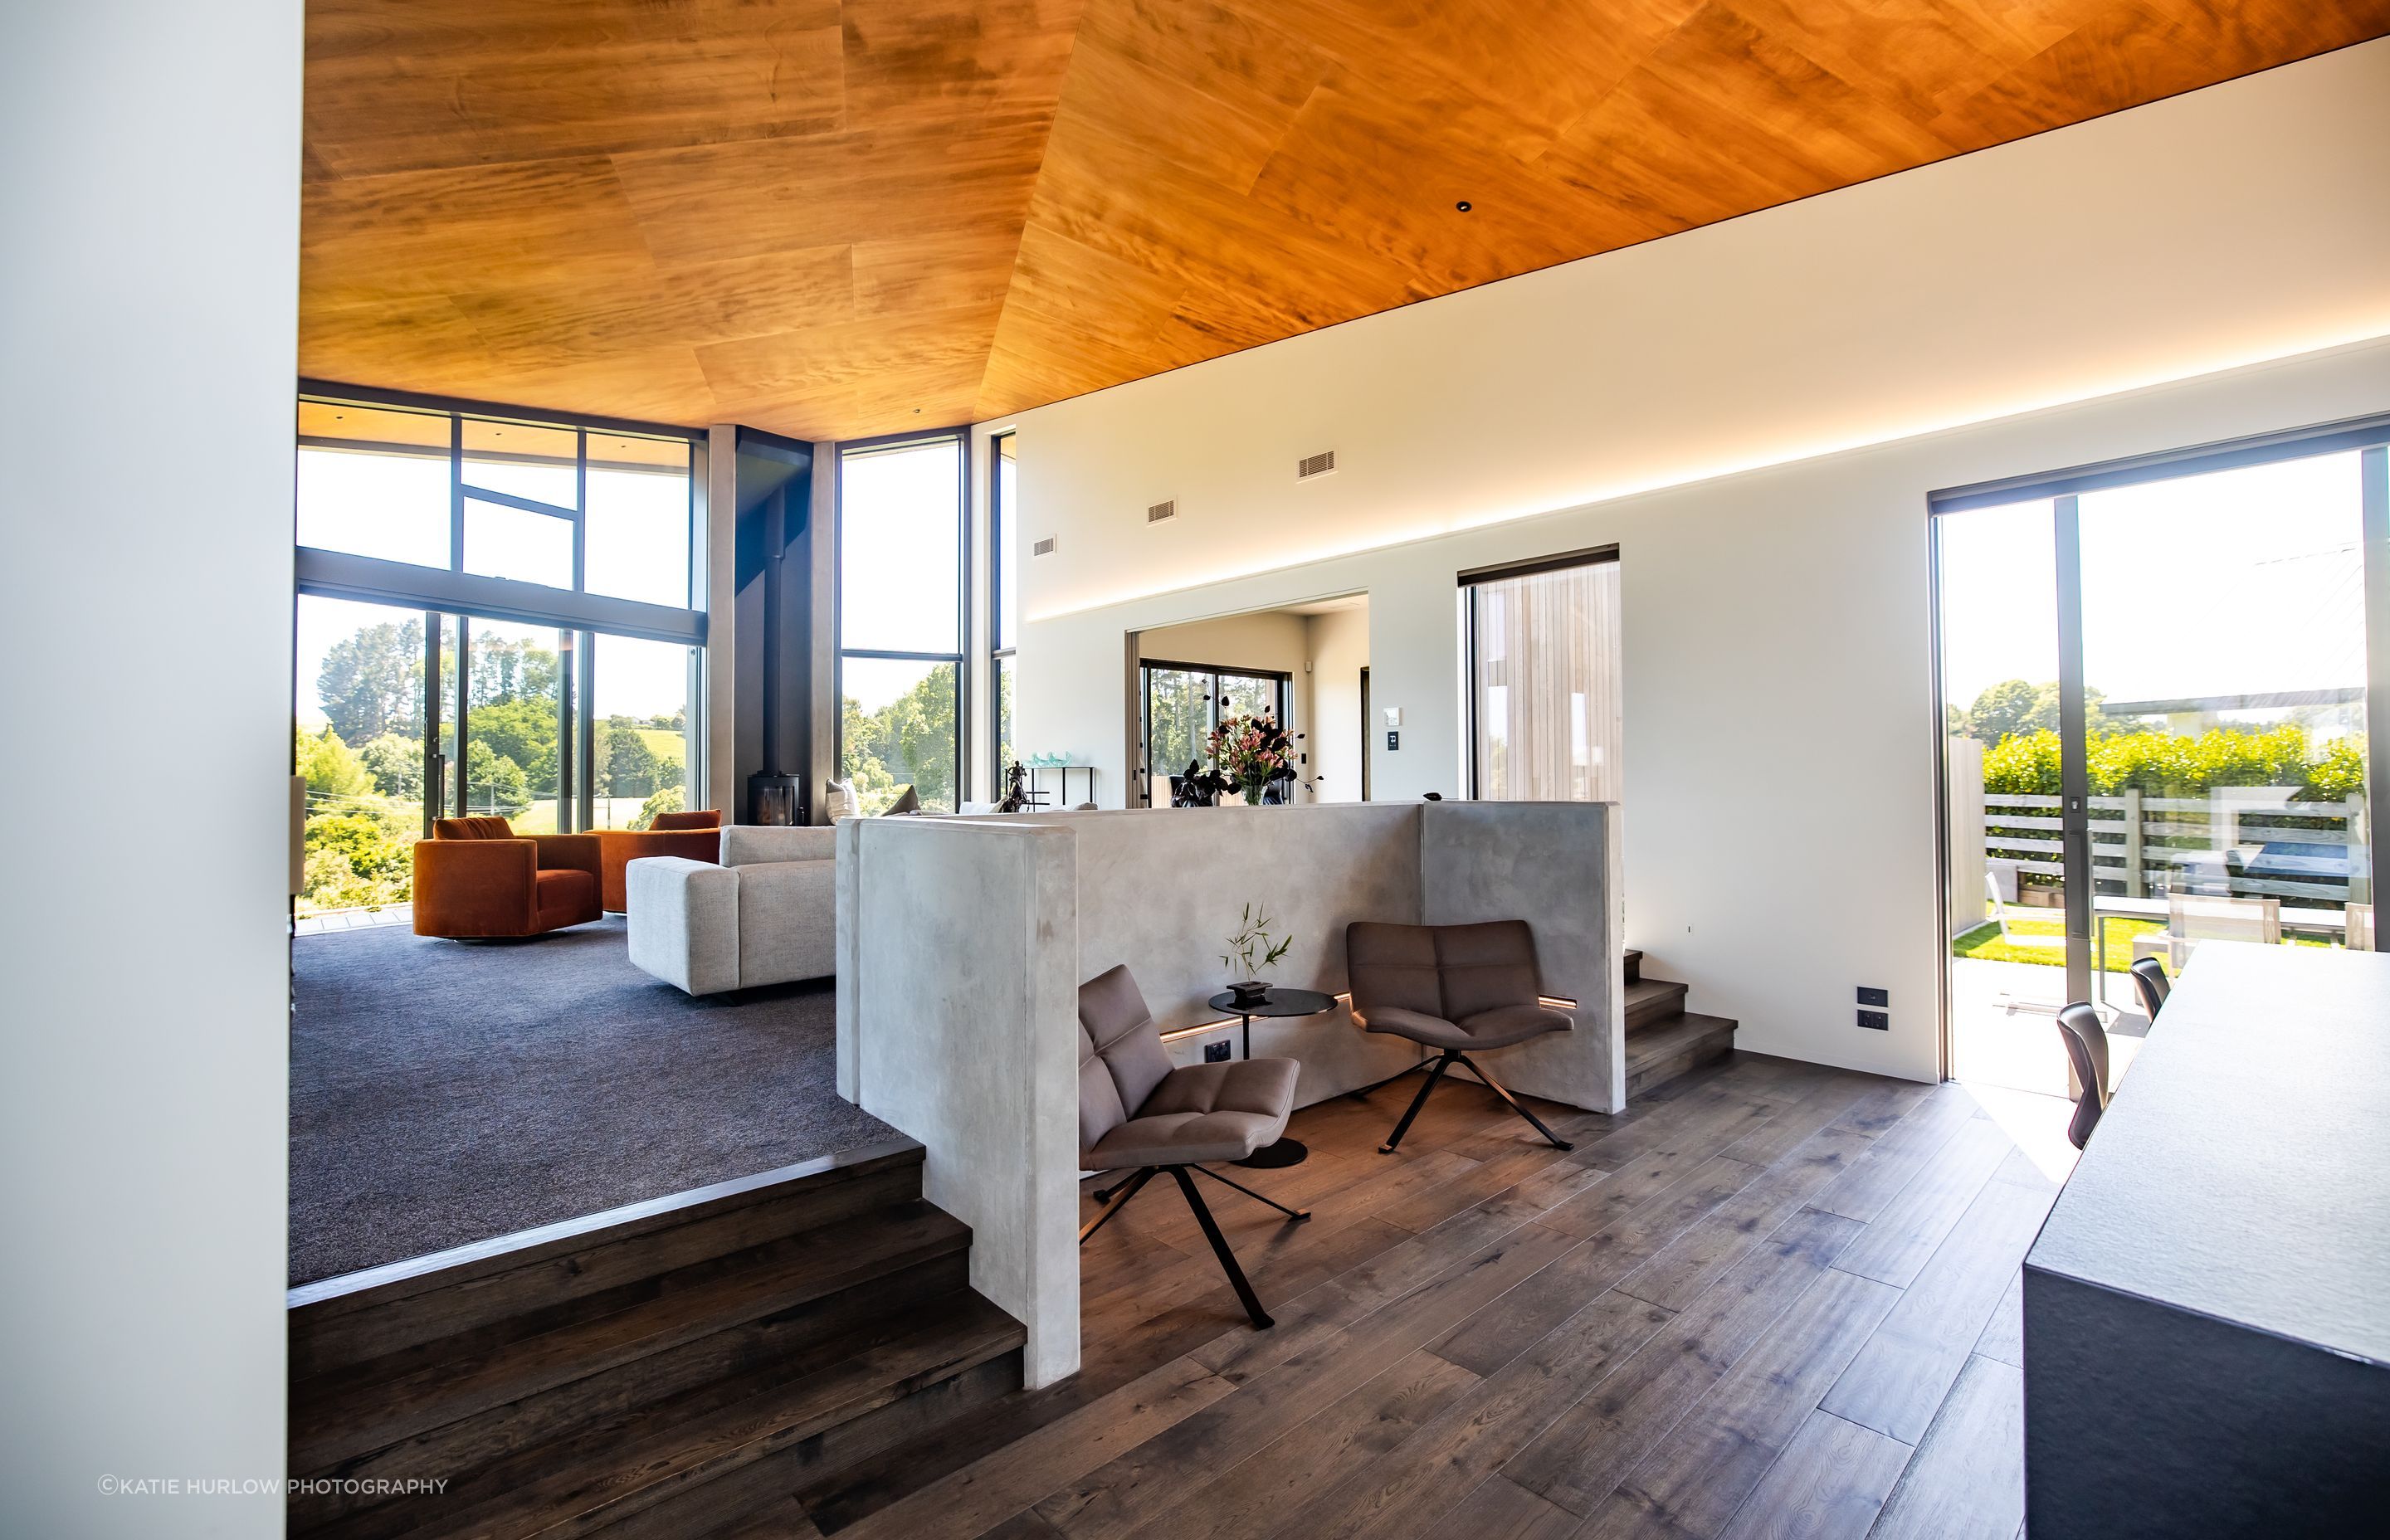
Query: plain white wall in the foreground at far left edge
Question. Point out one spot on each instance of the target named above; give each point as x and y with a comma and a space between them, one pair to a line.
149, 314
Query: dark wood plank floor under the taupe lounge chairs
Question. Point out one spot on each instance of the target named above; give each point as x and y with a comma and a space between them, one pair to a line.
1777, 1300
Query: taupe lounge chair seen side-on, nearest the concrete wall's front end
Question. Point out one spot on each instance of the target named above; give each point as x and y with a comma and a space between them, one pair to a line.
1139, 1113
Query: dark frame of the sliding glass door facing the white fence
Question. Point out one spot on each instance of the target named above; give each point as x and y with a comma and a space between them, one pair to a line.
2367, 436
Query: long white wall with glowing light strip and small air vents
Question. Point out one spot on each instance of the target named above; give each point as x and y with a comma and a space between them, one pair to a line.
1772, 606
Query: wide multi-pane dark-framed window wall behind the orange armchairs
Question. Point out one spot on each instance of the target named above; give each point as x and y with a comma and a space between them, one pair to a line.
496, 616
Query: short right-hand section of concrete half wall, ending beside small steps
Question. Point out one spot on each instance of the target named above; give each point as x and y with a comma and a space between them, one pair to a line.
1557, 867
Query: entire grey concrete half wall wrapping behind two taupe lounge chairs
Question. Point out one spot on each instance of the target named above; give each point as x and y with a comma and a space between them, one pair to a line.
964, 941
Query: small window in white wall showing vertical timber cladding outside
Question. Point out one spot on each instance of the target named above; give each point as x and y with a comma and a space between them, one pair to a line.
1543, 668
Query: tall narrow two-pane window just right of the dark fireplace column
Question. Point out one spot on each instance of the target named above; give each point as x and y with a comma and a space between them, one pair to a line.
902, 542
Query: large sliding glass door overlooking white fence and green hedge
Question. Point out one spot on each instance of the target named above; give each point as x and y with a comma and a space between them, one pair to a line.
2157, 728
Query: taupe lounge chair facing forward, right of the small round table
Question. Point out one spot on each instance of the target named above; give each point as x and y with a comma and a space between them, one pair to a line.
1452, 989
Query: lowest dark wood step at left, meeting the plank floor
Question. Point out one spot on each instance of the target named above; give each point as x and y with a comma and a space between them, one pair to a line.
680, 1469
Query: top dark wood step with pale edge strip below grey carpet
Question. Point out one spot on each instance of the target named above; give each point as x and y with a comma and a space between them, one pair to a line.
491, 1292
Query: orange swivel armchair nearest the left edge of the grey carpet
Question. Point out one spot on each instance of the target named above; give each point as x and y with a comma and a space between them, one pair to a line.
479, 879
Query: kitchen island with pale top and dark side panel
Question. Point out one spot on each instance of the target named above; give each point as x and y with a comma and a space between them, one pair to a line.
2207, 1309
